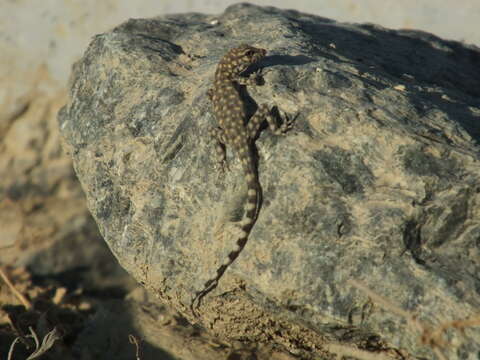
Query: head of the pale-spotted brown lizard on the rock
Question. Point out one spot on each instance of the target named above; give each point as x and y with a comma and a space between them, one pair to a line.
238, 59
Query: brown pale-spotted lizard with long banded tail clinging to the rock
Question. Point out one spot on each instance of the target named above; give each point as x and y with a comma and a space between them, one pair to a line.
239, 132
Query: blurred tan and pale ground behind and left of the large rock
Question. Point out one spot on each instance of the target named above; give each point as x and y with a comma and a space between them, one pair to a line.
50, 248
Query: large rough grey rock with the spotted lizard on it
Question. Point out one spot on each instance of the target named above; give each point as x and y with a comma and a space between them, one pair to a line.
378, 184
